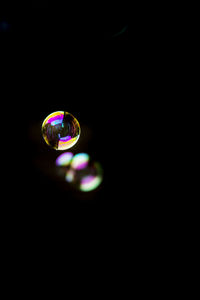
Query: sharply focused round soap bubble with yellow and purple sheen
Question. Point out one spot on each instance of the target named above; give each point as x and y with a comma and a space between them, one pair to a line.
61, 130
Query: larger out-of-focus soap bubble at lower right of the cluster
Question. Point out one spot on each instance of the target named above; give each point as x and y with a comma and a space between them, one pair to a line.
84, 174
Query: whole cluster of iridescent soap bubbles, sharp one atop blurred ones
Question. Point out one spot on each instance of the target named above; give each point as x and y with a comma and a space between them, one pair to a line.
61, 131
